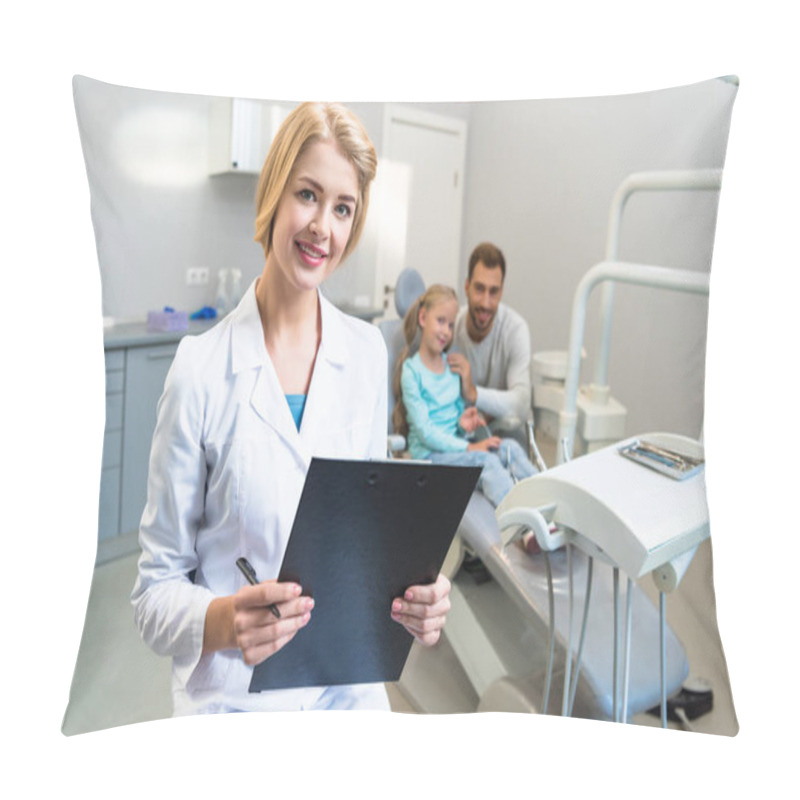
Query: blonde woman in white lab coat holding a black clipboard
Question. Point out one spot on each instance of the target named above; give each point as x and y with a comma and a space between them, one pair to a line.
282, 378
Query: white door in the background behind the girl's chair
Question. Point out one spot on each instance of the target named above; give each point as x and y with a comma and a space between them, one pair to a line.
420, 186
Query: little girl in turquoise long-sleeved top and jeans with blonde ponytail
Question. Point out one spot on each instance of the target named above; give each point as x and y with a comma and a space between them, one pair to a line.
430, 410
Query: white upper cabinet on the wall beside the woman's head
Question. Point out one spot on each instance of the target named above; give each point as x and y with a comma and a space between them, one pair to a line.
241, 132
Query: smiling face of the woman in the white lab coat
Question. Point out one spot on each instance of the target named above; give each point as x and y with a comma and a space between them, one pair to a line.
314, 216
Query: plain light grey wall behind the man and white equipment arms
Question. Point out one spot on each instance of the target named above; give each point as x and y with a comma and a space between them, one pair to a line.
540, 179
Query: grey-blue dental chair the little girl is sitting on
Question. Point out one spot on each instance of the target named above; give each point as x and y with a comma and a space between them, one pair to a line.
522, 664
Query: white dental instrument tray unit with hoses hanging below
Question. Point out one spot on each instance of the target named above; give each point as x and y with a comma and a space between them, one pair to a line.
633, 517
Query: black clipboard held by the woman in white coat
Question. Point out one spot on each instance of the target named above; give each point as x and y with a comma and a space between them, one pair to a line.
364, 531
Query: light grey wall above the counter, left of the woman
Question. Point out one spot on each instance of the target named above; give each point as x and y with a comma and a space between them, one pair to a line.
155, 210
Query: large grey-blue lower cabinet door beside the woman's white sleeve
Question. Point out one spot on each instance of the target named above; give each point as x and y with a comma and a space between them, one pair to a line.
145, 372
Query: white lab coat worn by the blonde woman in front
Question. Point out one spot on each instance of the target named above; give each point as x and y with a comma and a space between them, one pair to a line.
227, 467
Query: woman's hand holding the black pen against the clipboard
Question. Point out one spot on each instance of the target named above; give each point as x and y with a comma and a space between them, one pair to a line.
244, 620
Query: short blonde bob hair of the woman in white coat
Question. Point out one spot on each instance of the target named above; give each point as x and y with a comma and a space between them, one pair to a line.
305, 125
